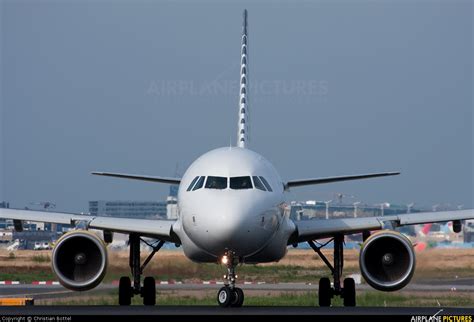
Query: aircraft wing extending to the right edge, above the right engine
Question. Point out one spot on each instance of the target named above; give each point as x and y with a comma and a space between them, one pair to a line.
321, 228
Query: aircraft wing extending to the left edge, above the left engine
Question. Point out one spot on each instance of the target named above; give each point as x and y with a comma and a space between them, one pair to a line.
160, 229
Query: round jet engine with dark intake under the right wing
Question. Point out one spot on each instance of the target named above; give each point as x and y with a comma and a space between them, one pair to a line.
387, 261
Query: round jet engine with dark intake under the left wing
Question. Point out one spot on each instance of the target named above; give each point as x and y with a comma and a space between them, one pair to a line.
79, 260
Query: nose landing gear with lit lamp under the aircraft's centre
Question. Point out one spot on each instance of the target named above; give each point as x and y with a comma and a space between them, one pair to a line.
229, 295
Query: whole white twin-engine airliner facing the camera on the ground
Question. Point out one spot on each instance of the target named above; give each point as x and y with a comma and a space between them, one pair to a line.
231, 210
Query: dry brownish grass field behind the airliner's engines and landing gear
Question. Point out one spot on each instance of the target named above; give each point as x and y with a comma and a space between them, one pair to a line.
298, 266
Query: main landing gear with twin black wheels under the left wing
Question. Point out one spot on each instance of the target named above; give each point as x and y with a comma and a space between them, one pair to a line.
148, 289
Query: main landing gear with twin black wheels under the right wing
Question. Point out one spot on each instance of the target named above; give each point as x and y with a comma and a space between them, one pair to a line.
326, 292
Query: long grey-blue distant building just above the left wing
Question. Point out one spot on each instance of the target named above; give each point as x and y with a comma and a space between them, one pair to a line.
130, 209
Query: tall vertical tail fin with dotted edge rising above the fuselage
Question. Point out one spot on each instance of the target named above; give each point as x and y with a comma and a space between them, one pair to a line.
242, 135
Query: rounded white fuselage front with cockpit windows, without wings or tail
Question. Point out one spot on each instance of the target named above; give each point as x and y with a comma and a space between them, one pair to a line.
248, 221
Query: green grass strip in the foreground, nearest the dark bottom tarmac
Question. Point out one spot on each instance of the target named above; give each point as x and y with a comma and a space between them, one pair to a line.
368, 298
